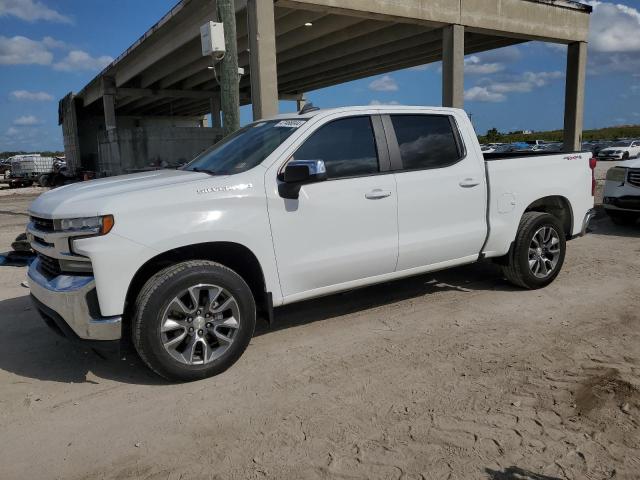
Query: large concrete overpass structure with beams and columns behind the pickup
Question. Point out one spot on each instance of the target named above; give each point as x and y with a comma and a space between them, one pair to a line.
288, 47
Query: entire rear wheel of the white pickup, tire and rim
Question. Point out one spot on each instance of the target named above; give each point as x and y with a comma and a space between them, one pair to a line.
537, 255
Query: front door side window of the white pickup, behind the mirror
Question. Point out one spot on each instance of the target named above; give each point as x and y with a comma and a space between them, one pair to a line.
347, 146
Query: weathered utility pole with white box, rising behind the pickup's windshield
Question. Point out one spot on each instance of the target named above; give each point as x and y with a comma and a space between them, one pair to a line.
229, 76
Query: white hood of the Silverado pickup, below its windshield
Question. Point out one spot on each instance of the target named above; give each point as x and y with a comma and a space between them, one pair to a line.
86, 198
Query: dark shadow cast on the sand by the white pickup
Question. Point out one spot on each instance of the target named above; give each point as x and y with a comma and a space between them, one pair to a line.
37, 352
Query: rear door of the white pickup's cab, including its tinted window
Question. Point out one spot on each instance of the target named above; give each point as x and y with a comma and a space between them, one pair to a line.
441, 191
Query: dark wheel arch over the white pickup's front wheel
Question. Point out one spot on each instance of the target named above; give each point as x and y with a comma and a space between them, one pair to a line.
235, 256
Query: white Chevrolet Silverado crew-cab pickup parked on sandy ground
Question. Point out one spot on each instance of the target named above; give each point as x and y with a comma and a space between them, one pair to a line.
290, 208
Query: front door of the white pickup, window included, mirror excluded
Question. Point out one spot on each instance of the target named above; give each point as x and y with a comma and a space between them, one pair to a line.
343, 229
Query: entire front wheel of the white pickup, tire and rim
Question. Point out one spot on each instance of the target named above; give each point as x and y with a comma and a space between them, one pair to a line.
193, 320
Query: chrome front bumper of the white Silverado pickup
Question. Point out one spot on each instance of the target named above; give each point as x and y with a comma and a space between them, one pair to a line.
72, 299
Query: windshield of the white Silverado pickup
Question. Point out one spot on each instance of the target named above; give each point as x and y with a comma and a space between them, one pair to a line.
244, 149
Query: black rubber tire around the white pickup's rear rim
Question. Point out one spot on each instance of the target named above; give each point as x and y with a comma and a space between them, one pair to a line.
517, 269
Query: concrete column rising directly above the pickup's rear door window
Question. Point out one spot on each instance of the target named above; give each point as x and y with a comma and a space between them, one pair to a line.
453, 66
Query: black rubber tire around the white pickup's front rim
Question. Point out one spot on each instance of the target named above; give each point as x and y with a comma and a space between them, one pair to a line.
154, 299
